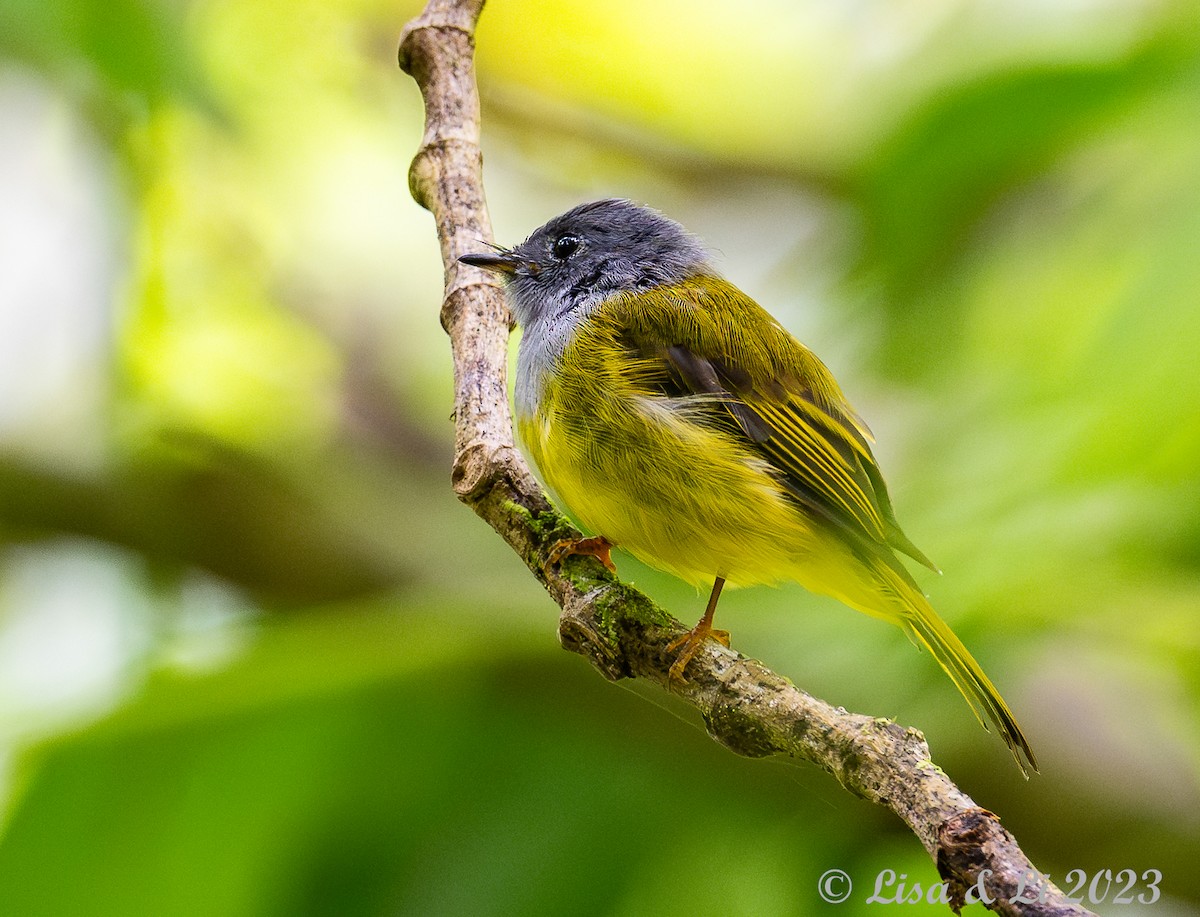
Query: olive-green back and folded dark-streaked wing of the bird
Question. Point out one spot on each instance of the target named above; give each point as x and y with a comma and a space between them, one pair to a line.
752, 377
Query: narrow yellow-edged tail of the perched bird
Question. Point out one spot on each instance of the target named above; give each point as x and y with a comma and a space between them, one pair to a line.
926, 628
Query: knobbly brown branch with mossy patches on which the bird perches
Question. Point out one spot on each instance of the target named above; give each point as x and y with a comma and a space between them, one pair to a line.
746, 706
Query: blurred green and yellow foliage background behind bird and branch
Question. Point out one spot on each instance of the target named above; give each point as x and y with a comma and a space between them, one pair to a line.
255, 660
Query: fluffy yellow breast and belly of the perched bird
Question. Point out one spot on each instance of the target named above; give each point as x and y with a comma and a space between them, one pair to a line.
640, 470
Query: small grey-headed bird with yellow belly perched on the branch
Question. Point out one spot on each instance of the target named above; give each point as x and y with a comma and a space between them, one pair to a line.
679, 421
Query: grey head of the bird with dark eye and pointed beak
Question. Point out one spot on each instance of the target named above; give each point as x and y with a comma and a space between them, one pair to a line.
590, 254
